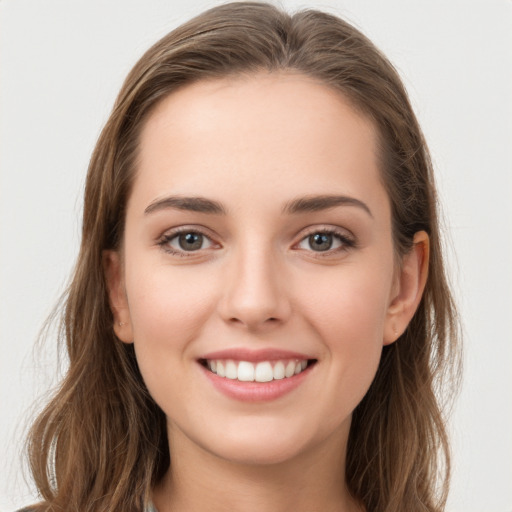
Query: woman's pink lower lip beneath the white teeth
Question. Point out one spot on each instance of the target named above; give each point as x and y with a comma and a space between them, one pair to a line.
256, 391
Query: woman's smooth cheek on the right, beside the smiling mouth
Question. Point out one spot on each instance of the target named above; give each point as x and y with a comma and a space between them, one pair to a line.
347, 313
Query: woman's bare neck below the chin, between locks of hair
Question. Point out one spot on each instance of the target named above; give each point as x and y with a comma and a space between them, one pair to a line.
199, 480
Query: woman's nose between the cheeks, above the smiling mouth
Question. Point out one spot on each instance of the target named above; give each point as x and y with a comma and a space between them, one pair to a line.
255, 293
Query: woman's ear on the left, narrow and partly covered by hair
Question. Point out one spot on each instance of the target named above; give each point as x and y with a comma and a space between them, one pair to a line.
114, 277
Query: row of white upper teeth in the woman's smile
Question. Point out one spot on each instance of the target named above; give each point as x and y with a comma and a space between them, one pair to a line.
264, 371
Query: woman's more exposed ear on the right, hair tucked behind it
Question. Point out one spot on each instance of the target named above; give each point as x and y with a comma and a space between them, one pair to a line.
408, 288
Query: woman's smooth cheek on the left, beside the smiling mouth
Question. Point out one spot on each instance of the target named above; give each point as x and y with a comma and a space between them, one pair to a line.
168, 309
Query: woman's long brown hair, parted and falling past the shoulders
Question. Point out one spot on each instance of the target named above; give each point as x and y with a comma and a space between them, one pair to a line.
101, 443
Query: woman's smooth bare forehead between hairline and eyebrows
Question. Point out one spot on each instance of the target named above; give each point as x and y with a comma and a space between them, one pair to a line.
273, 133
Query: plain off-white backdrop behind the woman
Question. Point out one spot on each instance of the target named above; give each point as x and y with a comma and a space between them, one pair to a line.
61, 65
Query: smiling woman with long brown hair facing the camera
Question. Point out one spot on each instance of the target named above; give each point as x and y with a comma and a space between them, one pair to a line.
259, 314
